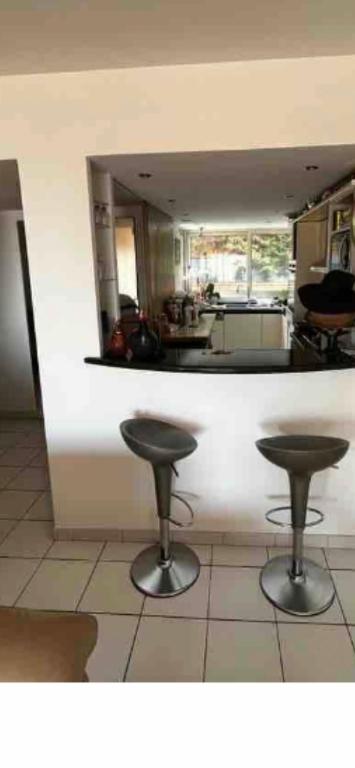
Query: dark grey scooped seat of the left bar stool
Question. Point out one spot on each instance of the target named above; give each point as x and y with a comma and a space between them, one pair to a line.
157, 441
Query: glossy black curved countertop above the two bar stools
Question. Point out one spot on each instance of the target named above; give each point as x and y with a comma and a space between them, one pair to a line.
294, 359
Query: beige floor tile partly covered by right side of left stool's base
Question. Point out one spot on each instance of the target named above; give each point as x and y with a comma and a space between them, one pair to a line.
192, 603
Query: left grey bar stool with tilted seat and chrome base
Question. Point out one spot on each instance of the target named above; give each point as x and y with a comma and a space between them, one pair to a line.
165, 569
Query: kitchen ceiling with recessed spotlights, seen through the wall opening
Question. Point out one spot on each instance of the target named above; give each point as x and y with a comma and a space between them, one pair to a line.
232, 189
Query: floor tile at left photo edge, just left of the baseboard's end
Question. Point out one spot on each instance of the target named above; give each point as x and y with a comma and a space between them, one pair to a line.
28, 539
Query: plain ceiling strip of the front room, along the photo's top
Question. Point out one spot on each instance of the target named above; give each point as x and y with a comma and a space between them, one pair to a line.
71, 35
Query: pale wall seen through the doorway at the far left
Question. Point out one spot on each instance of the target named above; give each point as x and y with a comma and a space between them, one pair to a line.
16, 379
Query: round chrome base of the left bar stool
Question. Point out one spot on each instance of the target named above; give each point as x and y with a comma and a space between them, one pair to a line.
155, 578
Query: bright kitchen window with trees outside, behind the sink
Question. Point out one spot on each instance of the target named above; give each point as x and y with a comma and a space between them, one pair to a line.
241, 264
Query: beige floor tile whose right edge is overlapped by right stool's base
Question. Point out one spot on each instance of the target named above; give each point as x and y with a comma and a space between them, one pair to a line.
236, 594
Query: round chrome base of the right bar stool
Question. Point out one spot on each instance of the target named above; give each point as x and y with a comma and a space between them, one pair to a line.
307, 595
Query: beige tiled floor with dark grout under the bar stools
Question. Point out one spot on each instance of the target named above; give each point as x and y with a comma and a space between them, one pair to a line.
221, 630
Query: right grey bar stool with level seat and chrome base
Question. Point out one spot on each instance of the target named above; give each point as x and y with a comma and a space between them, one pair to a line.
293, 583
